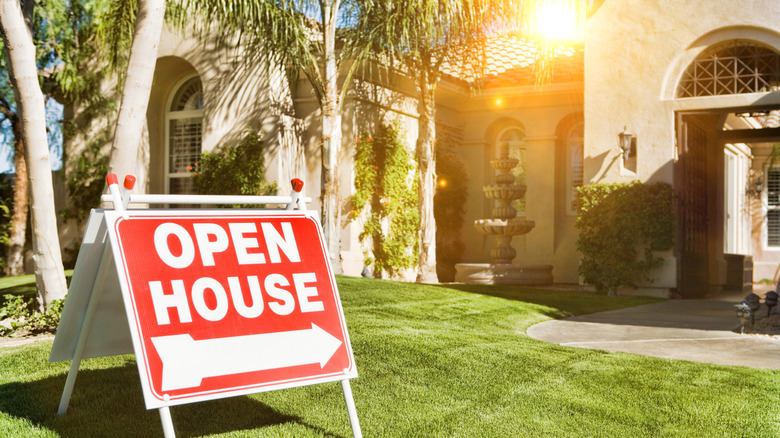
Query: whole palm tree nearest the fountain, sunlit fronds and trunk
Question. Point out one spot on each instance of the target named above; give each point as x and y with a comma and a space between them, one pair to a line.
428, 37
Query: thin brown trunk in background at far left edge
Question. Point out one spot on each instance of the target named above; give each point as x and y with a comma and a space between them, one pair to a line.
15, 254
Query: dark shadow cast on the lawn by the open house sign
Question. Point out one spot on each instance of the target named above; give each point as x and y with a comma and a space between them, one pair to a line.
109, 402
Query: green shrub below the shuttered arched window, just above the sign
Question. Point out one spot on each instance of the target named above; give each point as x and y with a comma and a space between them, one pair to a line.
234, 170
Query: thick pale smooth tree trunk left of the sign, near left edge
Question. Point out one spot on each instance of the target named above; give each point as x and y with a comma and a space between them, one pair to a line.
17, 37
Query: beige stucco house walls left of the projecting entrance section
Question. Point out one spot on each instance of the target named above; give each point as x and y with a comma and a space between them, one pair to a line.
237, 98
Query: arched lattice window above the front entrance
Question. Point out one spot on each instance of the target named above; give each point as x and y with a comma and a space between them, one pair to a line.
734, 67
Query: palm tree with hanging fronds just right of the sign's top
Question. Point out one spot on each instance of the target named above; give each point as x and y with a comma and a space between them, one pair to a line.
300, 35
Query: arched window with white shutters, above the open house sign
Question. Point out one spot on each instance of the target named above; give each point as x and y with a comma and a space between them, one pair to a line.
184, 122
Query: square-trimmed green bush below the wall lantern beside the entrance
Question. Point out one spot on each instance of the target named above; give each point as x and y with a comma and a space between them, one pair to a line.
620, 226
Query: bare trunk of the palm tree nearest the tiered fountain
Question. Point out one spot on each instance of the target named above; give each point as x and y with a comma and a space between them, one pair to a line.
426, 160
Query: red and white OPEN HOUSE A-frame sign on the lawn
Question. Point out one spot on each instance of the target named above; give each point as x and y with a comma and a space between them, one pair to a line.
212, 302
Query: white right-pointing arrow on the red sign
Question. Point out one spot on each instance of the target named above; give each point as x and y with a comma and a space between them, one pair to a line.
187, 361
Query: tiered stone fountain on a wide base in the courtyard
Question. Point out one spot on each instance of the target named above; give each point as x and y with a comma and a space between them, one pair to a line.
504, 226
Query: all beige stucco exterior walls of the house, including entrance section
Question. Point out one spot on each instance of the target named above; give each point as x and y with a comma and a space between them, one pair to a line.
636, 51
